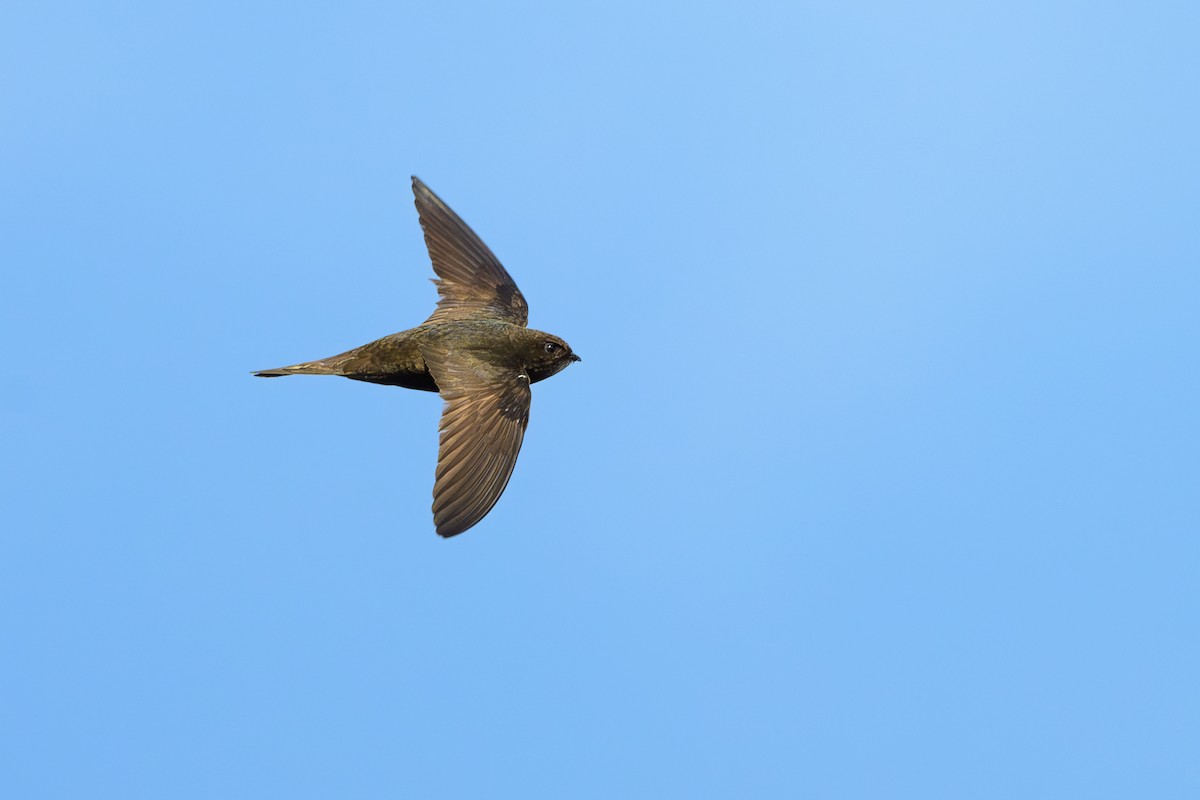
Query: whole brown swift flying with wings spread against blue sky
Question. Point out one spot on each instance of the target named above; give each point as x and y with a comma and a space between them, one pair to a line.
476, 351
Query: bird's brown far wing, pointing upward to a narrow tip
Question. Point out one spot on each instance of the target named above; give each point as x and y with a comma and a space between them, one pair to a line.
472, 282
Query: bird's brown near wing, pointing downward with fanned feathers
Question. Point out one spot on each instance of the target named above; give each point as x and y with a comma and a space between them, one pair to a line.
483, 424
